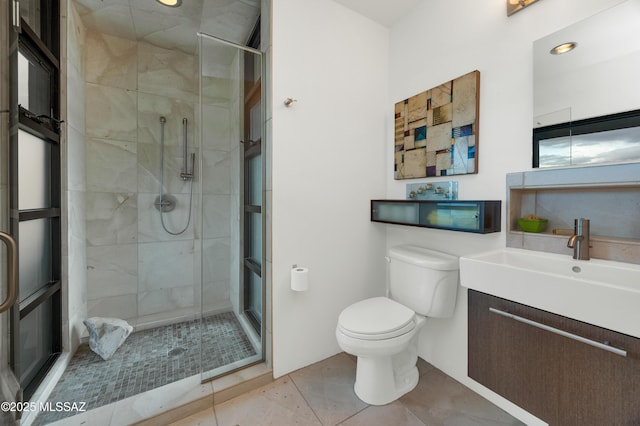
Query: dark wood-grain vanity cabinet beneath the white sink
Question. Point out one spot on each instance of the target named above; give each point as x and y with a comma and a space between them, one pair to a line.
559, 380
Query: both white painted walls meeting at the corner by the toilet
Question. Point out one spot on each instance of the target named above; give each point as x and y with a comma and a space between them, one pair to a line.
347, 72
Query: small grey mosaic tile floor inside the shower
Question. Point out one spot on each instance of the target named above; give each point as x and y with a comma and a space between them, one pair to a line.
149, 359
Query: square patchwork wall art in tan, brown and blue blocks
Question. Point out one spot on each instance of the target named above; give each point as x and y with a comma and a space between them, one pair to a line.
436, 131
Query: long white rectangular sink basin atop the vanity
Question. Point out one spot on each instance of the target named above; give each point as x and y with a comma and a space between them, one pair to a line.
599, 292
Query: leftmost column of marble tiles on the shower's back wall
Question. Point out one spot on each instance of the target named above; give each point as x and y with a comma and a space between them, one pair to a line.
111, 176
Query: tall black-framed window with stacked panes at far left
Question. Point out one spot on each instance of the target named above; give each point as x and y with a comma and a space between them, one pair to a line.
35, 193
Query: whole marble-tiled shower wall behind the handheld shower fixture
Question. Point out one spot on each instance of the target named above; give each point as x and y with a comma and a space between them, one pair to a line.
136, 270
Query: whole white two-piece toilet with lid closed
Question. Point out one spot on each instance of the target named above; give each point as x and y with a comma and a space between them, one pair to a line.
383, 331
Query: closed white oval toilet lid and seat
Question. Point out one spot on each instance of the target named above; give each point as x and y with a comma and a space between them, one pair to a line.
376, 319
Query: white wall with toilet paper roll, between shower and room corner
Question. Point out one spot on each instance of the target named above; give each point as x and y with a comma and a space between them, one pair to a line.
328, 161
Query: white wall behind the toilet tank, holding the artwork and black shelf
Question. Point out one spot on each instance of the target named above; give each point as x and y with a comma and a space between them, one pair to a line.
469, 35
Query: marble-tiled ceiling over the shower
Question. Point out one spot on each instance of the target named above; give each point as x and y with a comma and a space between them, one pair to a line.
172, 28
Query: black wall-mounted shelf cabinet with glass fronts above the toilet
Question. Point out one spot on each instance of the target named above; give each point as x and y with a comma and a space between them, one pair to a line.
481, 217
